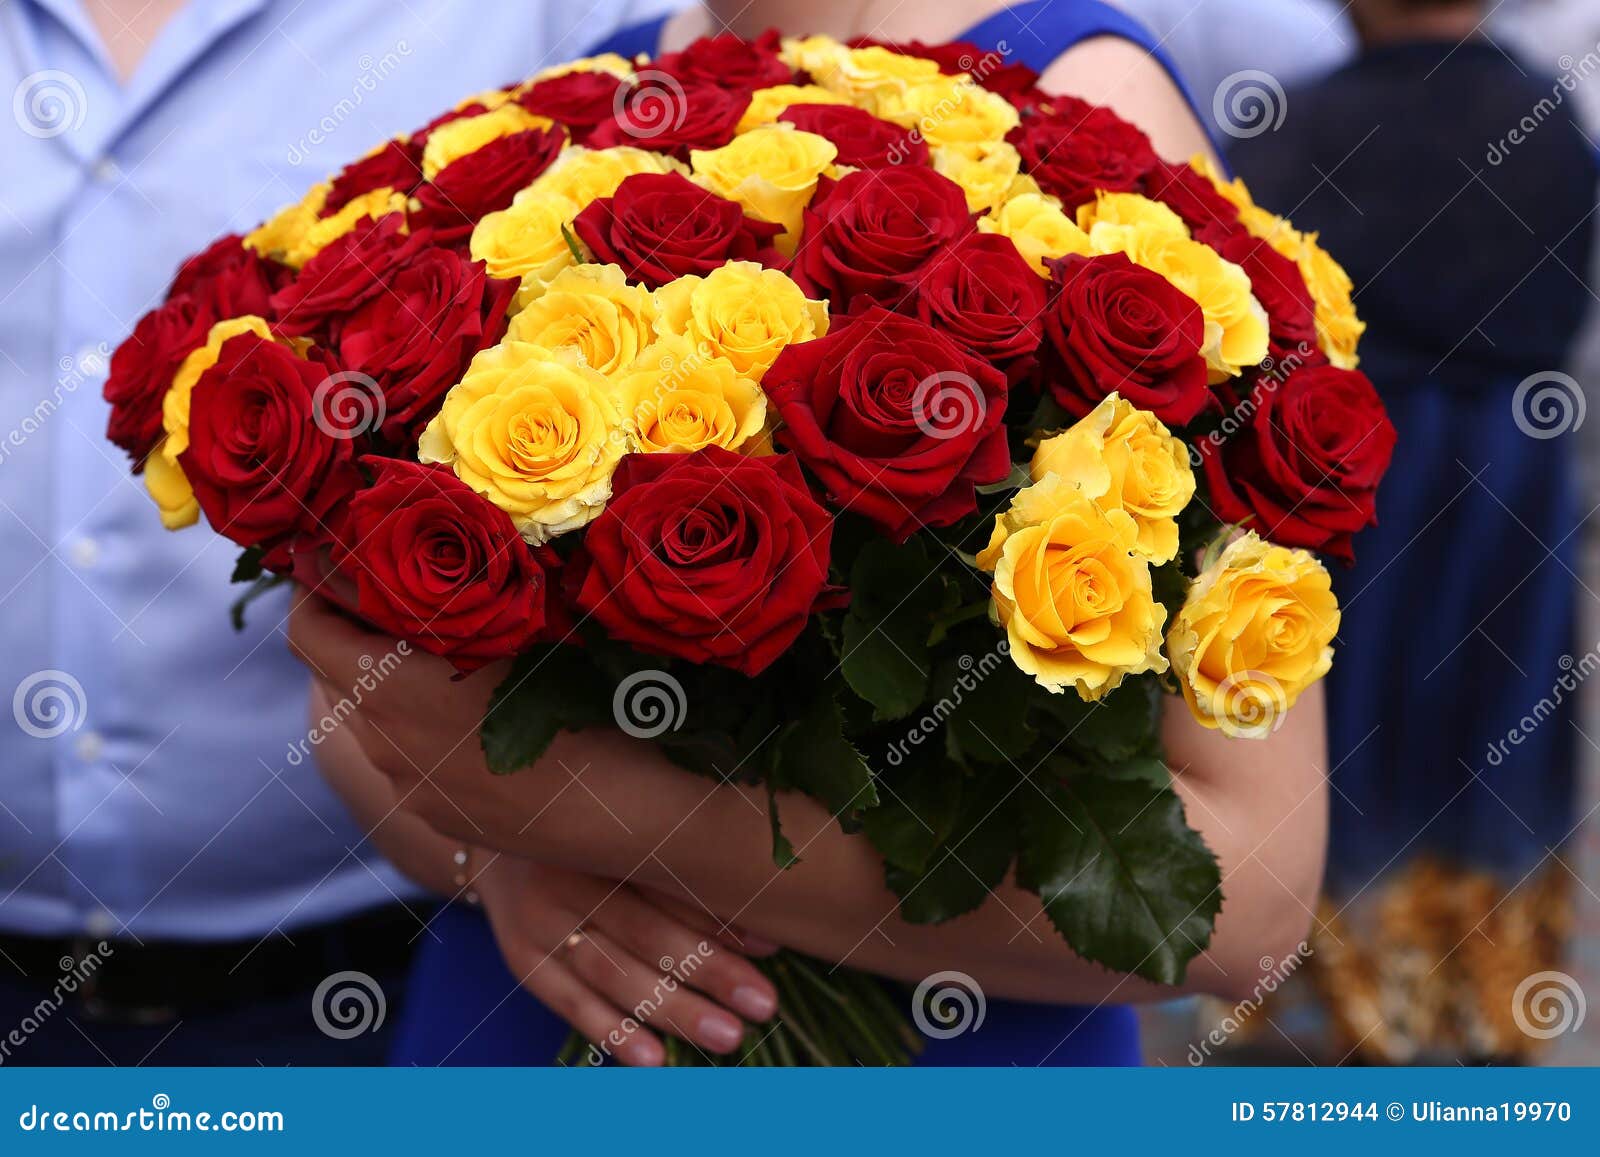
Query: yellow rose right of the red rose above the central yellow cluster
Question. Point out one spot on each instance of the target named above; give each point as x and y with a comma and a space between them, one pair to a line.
772, 172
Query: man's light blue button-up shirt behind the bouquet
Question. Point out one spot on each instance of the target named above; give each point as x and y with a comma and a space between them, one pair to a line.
146, 775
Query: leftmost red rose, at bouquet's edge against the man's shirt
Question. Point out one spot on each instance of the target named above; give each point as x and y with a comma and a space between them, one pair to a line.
143, 367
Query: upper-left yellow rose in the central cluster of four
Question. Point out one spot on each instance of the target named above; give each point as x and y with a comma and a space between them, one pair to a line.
593, 311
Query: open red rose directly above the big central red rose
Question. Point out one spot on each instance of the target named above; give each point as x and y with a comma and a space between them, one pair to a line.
870, 233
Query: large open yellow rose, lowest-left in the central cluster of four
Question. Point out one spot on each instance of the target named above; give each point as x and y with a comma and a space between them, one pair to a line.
535, 433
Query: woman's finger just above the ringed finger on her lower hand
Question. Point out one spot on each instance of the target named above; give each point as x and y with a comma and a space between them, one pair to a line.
692, 956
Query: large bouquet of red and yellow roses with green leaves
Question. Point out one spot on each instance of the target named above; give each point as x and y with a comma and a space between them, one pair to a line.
855, 422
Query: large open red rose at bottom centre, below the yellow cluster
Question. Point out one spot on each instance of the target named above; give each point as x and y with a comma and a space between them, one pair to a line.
710, 558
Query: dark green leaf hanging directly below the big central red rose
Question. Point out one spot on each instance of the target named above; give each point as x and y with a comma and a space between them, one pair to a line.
894, 596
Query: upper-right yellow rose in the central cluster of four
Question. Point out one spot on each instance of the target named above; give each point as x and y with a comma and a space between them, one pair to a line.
743, 313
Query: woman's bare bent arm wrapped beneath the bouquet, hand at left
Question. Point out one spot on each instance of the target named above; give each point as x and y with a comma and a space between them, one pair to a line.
610, 806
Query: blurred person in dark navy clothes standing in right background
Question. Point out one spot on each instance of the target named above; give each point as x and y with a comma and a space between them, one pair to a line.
1452, 719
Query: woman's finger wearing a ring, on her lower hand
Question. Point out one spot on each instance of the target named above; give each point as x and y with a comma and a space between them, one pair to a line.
662, 1001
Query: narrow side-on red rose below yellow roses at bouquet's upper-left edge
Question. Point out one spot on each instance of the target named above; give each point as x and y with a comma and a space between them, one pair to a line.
348, 273
